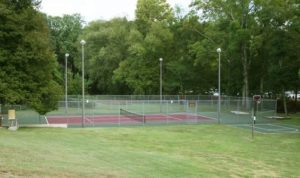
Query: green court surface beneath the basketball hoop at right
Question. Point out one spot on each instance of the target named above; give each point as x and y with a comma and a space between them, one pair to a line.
271, 128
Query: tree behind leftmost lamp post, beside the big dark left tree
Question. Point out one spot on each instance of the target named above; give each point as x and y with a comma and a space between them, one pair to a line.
64, 34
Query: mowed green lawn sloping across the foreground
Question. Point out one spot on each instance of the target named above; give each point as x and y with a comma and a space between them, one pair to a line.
156, 151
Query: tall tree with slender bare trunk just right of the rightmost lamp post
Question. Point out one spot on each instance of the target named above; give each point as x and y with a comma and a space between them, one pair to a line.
236, 20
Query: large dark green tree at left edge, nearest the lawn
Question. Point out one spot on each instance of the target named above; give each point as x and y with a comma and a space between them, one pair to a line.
27, 62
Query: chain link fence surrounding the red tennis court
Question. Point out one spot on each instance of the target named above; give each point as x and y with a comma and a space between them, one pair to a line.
105, 110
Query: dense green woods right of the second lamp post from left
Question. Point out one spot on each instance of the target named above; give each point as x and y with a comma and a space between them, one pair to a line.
259, 41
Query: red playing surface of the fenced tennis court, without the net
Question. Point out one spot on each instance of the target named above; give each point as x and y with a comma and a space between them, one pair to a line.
117, 119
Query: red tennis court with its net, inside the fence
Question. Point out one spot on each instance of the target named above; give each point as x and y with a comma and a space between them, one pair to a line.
128, 118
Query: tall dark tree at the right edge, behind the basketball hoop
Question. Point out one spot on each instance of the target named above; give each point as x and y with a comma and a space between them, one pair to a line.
280, 24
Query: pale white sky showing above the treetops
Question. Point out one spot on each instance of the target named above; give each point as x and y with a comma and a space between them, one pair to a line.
98, 9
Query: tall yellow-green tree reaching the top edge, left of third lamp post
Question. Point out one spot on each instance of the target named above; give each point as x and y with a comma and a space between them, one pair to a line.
151, 40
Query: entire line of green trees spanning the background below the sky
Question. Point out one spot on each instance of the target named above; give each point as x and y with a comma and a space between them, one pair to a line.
260, 42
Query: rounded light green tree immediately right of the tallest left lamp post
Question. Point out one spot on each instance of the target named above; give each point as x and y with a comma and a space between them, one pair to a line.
107, 46
